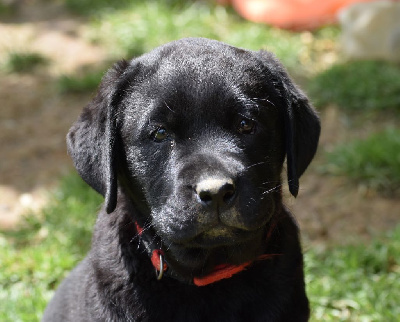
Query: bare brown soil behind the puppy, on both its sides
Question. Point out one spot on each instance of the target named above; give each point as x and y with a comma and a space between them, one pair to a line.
34, 118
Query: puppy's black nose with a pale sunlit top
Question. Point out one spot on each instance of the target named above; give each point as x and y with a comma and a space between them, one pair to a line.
215, 192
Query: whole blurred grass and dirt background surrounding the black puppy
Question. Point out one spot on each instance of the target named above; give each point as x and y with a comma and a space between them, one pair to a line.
345, 57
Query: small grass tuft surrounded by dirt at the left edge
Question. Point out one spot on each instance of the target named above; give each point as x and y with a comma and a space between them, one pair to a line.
24, 62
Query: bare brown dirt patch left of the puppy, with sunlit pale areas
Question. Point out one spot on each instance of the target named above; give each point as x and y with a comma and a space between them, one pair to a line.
35, 116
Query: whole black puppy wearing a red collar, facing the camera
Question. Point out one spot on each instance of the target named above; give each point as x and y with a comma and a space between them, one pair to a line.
187, 144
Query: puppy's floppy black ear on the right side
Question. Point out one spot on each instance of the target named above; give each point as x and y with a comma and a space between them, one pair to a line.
302, 125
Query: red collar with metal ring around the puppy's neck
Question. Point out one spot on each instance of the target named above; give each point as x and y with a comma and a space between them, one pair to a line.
220, 272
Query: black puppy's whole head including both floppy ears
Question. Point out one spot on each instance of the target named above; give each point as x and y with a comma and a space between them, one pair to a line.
195, 134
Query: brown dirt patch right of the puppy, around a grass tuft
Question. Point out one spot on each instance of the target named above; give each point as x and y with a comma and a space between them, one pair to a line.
335, 209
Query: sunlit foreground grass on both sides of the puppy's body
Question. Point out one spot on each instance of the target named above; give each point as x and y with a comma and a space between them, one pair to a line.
354, 283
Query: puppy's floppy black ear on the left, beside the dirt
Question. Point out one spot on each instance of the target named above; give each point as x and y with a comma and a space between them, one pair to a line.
92, 140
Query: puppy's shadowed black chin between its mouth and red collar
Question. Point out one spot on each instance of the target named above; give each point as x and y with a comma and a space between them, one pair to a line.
201, 255
